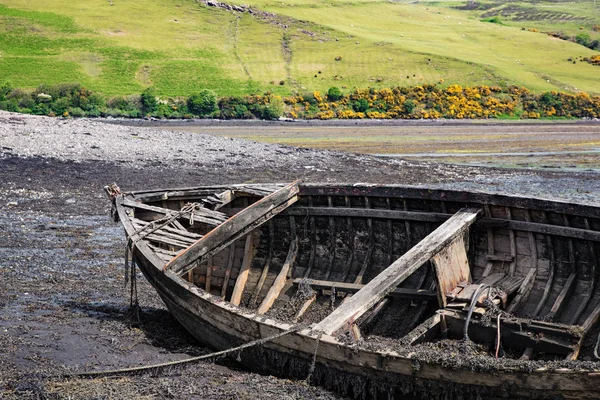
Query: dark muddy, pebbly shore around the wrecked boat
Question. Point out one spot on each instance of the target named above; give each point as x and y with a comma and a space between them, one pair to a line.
64, 307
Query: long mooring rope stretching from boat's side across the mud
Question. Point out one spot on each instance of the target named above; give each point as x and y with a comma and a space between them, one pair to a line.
96, 374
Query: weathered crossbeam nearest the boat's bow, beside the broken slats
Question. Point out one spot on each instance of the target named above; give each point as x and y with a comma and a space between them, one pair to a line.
237, 226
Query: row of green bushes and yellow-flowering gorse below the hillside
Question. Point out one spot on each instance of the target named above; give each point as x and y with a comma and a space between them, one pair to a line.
415, 102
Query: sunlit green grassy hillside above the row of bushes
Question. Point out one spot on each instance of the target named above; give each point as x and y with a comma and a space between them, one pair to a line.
181, 46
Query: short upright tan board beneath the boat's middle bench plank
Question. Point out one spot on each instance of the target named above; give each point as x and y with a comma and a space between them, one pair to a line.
451, 268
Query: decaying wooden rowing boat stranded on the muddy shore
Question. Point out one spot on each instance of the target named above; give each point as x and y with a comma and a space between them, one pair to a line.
399, 291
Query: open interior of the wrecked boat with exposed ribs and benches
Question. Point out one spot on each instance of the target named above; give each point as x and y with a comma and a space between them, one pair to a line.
399, 266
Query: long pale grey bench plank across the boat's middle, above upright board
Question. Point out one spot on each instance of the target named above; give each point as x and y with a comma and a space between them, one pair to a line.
401, 269
